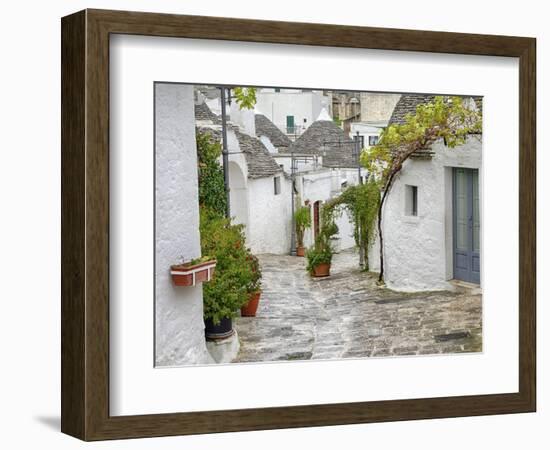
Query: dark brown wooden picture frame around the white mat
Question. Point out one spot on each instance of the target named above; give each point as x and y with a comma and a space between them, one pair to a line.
85, 224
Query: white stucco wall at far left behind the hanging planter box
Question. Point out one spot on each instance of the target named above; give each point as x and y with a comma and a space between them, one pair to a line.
179, 325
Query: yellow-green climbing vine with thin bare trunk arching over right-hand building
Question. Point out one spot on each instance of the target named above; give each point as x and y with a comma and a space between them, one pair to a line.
449, 119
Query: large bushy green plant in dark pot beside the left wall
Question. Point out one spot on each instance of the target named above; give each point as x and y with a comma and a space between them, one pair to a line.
228, 290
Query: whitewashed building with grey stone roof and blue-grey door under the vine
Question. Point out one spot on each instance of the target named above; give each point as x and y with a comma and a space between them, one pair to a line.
432, 219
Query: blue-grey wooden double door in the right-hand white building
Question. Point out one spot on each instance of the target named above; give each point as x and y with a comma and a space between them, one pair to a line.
466, 227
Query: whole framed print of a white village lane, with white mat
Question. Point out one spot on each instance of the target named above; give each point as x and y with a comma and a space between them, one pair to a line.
272, 225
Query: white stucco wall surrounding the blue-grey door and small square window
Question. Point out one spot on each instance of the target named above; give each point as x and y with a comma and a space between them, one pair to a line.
418, 250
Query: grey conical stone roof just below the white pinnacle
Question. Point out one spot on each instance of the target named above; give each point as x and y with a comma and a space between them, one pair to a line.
326, 139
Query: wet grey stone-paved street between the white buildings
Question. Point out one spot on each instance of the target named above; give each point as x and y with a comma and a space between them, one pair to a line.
348, 316
